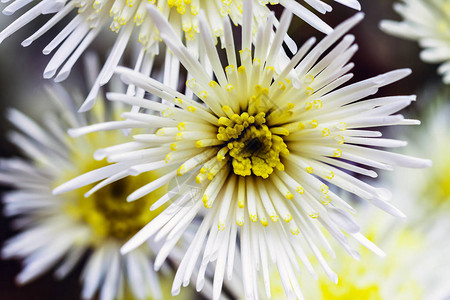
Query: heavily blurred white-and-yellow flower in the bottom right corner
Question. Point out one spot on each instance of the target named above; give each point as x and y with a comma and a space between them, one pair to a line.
382, 278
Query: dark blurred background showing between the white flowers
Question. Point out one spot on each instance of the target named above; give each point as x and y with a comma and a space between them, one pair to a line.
20, 86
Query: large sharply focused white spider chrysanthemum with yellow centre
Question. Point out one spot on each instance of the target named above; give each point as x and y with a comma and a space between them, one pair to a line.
261, 146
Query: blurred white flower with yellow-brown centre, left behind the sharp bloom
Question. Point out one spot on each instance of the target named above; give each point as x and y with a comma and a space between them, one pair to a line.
58, 231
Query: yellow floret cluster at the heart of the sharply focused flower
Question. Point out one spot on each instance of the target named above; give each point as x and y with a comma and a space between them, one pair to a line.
250, 143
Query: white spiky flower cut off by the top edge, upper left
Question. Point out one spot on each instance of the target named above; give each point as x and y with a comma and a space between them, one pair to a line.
126, 17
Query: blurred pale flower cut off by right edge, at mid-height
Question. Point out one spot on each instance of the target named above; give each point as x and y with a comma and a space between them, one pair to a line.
430, 189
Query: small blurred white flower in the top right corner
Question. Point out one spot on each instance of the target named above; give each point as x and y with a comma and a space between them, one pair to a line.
428, 23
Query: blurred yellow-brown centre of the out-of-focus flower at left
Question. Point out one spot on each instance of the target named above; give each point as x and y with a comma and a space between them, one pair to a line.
107, 212
